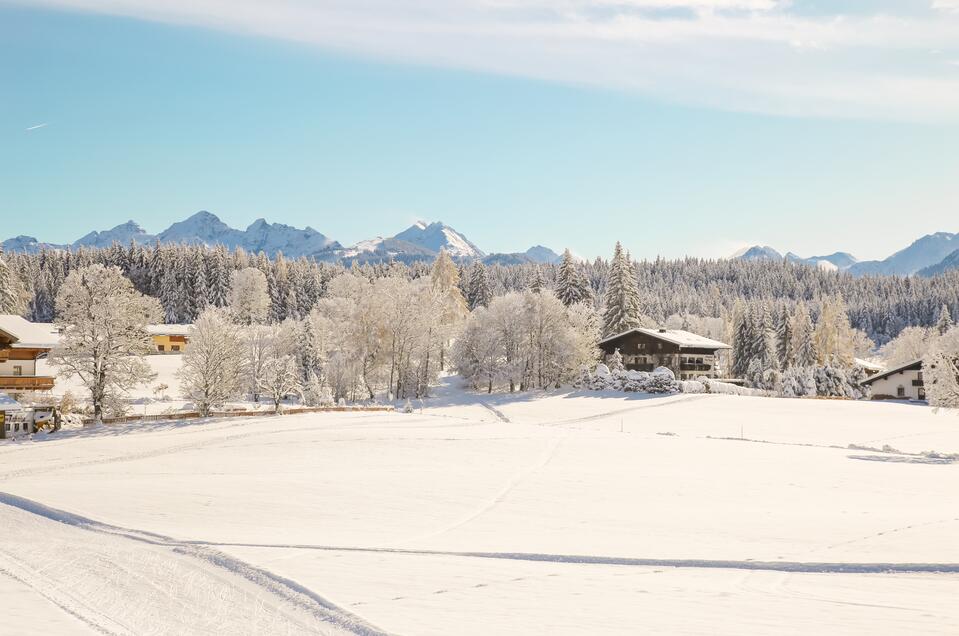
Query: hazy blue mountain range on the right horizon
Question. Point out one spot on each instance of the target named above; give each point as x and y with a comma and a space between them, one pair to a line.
927, 256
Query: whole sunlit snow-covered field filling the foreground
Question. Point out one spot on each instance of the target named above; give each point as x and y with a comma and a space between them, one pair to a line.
568, 513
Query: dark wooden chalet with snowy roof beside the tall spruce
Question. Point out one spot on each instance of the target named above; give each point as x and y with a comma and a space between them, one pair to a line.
686, 354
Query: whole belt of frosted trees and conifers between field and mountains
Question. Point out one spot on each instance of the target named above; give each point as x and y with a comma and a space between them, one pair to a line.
270, 328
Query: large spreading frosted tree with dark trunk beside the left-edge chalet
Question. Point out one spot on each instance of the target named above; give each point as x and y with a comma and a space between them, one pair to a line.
104, 324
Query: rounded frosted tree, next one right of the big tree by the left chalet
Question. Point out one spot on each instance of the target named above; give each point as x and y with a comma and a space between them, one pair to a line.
213, 368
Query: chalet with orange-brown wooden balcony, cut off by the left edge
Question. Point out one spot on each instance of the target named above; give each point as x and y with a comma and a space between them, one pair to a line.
22, 343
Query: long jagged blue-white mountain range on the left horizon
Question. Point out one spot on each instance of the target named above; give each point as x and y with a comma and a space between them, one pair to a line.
420, 241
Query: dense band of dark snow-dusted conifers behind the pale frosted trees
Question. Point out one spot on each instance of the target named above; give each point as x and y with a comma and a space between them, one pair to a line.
186, 279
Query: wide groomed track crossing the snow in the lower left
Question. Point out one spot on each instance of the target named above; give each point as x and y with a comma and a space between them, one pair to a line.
125, 581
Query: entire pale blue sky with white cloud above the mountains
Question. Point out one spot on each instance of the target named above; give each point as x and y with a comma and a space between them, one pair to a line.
679, 127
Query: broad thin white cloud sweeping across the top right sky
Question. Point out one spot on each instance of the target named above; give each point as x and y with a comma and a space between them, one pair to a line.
772, 56
